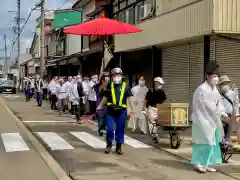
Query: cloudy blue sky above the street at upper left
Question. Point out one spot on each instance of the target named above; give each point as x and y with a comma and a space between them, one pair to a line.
7, 21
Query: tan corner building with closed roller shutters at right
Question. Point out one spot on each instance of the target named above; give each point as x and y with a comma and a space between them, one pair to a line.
179, 38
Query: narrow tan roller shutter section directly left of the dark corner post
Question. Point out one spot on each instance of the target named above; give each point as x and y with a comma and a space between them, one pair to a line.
196, 68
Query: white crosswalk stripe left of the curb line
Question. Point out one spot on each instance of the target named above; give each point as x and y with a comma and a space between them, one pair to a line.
13, 142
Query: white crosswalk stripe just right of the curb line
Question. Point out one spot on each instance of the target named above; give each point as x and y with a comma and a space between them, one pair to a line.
54, 141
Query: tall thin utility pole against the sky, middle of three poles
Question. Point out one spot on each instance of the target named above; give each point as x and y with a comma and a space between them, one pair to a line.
19, 34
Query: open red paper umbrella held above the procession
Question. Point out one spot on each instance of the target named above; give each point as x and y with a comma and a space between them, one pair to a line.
102, 26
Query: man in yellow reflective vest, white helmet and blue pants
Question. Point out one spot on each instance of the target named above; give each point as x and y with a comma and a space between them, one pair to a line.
115, 97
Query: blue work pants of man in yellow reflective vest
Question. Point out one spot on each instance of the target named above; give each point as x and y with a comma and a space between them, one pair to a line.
120, 120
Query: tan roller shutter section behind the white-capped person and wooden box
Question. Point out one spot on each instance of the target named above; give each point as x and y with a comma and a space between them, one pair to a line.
176, 73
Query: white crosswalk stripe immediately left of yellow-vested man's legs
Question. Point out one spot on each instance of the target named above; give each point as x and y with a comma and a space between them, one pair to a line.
90, 140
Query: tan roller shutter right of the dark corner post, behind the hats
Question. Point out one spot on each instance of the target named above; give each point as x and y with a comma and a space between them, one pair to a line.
228, 57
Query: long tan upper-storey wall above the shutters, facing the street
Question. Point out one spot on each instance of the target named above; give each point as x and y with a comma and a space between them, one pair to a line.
186, 21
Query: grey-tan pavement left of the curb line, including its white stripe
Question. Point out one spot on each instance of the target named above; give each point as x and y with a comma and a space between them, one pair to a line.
19, 157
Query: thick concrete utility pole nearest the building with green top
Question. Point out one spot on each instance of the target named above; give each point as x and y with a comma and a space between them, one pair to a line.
42, 60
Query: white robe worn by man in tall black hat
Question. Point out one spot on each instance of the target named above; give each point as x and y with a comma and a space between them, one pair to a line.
206, 115
